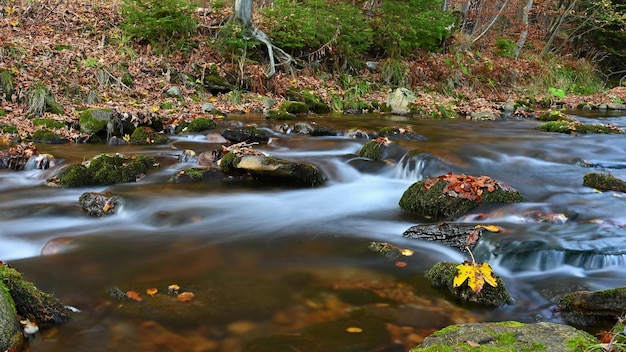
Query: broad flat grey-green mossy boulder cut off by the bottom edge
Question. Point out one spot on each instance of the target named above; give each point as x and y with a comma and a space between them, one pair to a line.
507, 336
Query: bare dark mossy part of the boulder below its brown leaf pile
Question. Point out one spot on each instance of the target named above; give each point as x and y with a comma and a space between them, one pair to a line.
436, 204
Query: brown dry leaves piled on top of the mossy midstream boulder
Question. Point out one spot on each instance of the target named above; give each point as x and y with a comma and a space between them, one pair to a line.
464, 186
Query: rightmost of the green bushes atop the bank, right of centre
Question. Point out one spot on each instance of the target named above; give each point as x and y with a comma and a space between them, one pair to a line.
401, 26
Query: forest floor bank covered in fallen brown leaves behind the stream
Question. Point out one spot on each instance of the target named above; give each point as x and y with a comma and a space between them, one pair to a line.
77, 50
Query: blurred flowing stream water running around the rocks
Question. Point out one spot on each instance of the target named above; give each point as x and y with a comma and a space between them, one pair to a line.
266, 261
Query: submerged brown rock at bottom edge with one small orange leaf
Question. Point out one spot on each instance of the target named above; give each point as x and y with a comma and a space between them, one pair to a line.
332, 336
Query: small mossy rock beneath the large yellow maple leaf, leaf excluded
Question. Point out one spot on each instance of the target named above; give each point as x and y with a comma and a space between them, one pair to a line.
442, 274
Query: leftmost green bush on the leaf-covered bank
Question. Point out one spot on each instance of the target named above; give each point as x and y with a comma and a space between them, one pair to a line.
162, 23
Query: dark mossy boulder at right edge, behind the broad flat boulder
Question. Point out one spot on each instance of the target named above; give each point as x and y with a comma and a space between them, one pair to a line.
593, 308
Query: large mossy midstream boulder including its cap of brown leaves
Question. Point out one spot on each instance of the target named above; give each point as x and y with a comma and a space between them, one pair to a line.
449, 196
